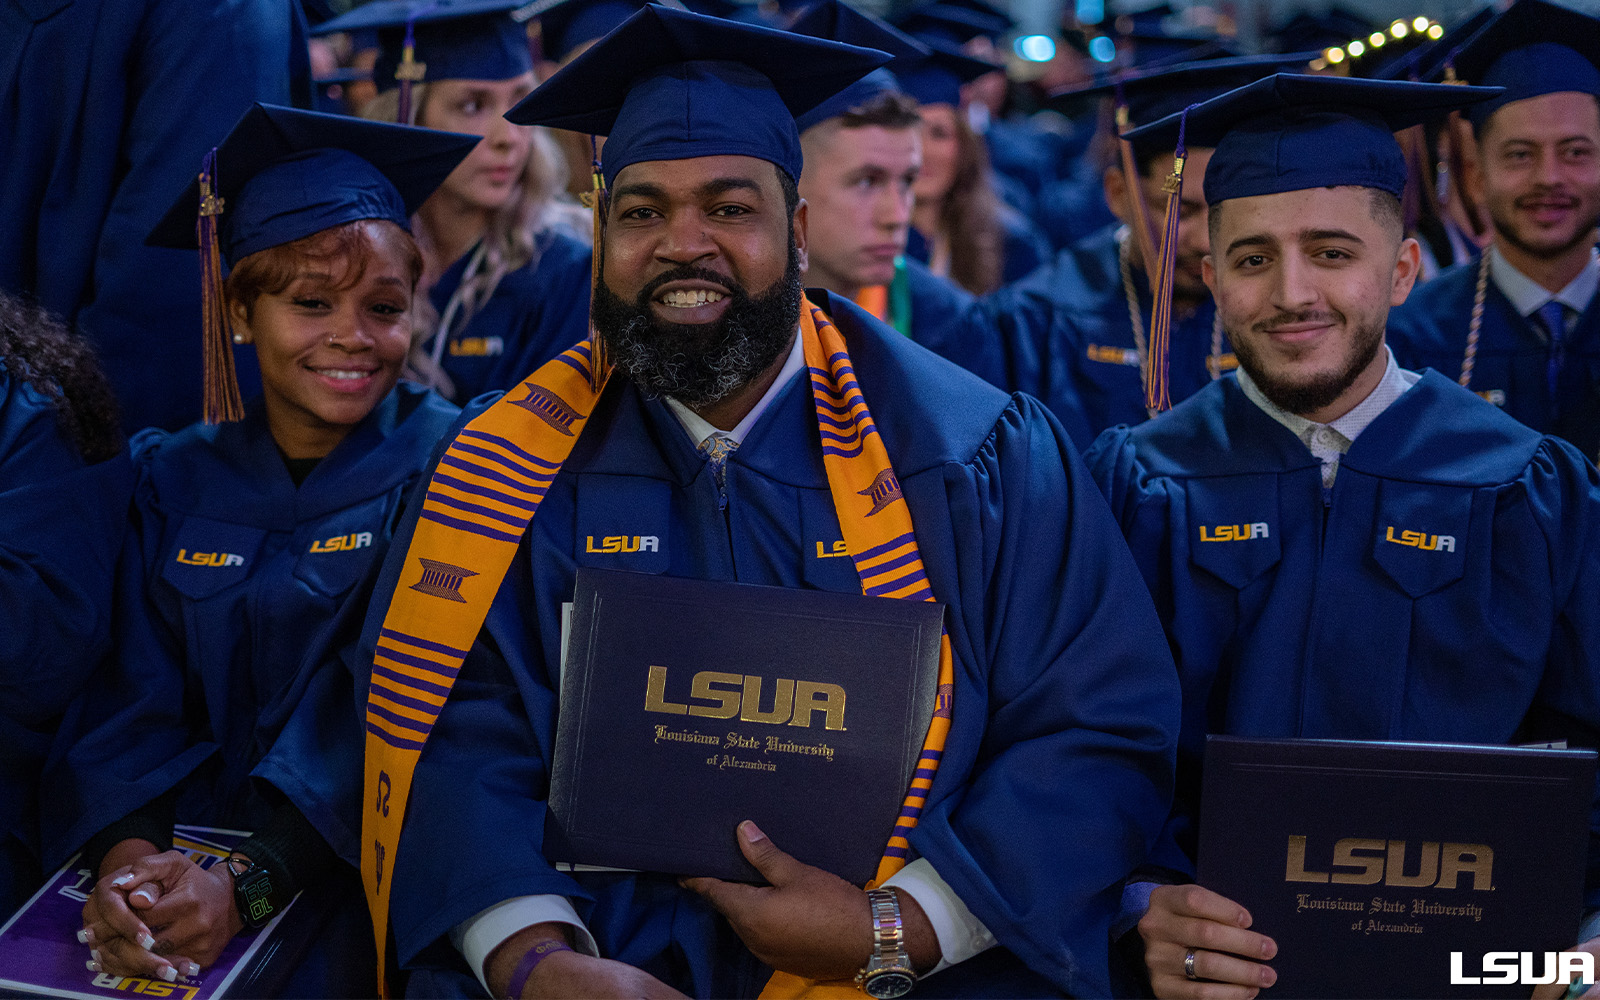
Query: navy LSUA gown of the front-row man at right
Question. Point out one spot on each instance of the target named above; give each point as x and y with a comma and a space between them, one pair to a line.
1319, 625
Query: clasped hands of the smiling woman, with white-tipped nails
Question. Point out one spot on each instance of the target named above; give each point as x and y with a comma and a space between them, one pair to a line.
158, 916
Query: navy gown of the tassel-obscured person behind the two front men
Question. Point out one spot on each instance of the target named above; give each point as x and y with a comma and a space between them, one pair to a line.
1070, 340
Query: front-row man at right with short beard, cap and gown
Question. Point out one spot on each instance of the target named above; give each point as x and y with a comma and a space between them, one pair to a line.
1271, 513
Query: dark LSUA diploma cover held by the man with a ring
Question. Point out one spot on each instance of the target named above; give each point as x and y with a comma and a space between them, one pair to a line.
1370, 863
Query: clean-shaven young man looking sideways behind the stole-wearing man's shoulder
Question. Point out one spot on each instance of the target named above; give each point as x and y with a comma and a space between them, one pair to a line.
865, 153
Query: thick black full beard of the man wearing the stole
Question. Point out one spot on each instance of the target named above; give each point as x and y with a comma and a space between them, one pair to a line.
700, 364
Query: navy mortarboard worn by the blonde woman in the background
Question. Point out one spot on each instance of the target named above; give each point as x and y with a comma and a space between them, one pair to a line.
454, 39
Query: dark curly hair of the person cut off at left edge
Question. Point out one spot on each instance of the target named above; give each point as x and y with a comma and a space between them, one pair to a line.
36, 348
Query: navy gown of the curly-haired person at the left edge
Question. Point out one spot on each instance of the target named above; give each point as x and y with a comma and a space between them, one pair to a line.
63, 529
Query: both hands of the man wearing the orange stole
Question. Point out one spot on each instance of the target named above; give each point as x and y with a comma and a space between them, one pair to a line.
806, 922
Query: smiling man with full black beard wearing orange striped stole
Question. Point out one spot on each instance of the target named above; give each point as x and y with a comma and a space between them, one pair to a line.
708, 436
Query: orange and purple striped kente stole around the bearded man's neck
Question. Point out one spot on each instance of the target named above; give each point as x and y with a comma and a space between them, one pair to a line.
487, 489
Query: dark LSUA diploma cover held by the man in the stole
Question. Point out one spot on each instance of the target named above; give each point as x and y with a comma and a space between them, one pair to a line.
689, 706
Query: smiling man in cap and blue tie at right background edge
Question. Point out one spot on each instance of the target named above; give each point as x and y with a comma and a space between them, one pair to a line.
1519, 326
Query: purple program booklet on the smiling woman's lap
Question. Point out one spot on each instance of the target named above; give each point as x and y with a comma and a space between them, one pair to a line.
41, 953
